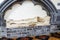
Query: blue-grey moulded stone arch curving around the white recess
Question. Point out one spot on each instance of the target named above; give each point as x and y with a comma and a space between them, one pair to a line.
49, 6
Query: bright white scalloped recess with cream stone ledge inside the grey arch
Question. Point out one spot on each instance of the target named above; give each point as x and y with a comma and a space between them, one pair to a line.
26, 14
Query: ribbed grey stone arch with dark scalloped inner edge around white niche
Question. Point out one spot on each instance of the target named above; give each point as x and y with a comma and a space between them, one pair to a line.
48, 6
